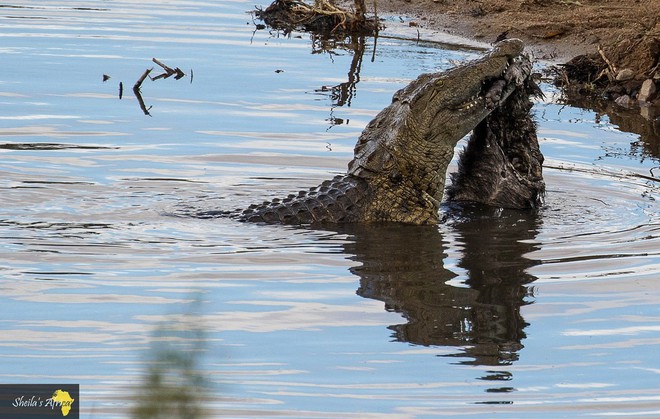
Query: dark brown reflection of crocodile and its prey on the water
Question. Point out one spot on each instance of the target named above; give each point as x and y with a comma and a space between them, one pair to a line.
403, 266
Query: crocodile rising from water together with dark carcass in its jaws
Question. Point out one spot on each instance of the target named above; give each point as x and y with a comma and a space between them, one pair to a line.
399, 168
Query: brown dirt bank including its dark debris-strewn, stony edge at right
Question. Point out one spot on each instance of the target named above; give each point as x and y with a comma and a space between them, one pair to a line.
621, 38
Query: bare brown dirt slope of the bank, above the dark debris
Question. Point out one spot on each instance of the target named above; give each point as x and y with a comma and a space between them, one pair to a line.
557, 29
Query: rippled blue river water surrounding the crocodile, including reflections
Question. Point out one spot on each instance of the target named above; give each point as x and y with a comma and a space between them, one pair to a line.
103, 274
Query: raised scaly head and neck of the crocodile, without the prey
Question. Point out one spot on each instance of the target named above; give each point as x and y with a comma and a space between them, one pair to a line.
429, 116
